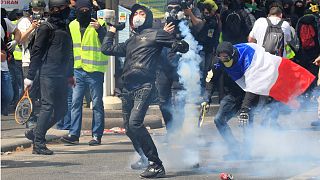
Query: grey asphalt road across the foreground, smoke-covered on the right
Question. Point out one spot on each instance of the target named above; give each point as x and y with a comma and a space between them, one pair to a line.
291, 153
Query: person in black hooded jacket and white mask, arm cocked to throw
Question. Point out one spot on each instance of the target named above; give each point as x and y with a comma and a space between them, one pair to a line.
142, 51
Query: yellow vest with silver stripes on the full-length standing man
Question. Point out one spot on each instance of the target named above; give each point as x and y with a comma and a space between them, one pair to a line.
87, 51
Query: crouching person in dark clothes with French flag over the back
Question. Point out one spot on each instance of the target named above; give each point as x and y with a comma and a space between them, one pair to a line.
259, 74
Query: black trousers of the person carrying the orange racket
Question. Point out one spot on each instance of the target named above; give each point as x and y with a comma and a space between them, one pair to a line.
53, 106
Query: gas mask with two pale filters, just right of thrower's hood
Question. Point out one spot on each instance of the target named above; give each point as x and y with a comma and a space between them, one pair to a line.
174, 15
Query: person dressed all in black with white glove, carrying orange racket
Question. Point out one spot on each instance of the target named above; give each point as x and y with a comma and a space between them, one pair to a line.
49, 57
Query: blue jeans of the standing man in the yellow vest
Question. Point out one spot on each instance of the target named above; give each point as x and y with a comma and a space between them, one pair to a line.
95, 82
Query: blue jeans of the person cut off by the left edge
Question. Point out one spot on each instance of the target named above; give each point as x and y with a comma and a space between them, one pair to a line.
6, 90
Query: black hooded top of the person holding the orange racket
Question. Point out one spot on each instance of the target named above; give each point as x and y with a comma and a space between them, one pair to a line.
52, 59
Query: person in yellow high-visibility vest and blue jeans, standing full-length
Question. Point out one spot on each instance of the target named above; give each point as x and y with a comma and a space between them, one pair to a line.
89, 68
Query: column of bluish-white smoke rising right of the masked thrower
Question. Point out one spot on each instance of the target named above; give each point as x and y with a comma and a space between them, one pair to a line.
182, 150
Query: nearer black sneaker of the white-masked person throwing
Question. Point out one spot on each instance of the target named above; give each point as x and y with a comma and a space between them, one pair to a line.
153, 171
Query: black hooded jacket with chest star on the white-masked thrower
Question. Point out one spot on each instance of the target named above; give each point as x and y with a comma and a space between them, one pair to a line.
142, 50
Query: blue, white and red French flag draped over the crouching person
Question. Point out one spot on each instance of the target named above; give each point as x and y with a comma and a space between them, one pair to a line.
262, 73
